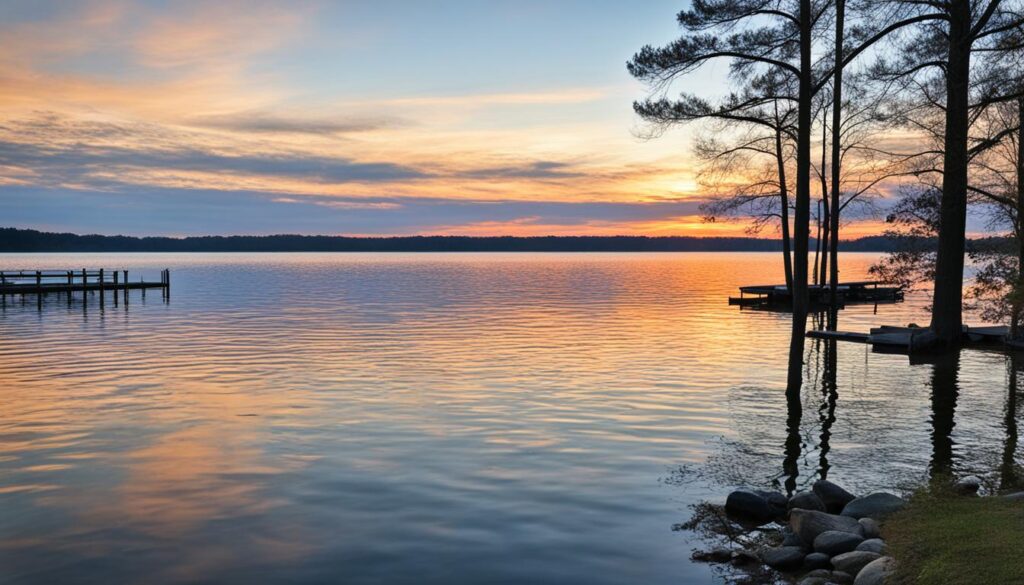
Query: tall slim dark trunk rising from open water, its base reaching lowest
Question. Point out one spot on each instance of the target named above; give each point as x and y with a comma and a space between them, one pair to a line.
795, 374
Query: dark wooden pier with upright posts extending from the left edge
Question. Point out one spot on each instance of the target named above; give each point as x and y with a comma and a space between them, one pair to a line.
41, 283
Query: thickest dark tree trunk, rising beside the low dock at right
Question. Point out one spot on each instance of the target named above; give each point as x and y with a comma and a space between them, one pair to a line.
949, 300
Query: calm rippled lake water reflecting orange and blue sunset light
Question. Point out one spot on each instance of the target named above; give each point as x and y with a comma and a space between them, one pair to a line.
442, 419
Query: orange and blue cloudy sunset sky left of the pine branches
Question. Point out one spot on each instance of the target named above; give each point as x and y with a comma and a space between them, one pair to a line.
371, 117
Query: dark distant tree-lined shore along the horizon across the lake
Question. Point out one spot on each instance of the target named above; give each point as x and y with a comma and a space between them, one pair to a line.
16, 240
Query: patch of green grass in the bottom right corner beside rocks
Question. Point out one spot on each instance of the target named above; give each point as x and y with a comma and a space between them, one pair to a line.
950, 540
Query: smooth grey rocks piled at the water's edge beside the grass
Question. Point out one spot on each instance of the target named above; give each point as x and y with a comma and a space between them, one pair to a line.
826, 536
